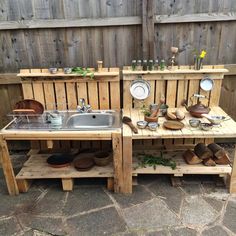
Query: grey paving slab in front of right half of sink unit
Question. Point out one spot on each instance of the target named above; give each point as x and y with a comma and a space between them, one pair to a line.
85, 199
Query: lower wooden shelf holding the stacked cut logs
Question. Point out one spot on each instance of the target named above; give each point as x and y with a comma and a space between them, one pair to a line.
182, 166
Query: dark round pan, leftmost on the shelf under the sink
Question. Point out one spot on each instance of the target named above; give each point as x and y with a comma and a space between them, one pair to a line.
59, 160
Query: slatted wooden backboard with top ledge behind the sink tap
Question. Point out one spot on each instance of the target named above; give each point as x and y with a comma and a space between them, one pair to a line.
62, 91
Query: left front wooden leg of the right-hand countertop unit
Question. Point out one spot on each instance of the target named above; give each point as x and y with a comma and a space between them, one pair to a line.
127, 164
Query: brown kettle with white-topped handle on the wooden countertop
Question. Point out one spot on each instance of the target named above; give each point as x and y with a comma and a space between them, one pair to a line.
198, 109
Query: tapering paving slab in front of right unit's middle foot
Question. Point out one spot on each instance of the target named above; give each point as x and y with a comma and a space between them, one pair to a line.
172, 196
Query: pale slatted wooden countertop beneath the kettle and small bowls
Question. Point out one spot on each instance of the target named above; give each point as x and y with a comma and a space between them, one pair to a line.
226, 130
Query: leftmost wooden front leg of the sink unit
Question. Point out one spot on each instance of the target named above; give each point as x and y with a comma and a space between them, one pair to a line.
8, 169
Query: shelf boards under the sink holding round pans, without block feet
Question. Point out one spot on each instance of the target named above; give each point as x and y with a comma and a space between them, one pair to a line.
36, 167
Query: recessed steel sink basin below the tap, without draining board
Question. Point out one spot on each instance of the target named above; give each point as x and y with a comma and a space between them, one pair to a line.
94, 120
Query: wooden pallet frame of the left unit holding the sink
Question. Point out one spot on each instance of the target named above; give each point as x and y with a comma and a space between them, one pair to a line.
62, 92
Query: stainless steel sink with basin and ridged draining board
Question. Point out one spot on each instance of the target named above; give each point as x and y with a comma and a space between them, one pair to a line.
71, 120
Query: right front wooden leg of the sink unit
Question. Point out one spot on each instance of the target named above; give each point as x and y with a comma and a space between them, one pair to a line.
117, 160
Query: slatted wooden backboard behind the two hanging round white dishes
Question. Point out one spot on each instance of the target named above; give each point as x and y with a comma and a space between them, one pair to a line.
174, 85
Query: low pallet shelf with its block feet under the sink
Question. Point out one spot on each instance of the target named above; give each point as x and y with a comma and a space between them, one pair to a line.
36, 167
